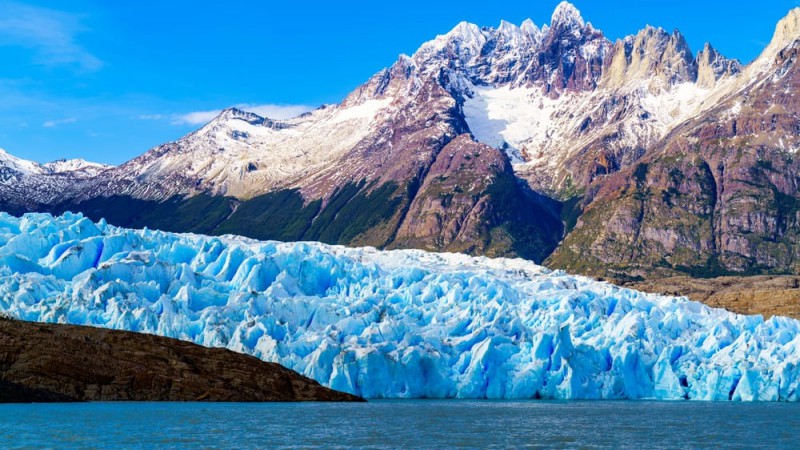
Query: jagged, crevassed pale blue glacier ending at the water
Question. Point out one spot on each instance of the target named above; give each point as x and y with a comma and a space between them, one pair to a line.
395, 324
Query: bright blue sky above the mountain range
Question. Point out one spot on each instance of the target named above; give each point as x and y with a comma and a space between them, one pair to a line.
106, 81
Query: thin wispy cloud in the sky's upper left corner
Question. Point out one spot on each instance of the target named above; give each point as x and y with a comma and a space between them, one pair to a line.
50, 33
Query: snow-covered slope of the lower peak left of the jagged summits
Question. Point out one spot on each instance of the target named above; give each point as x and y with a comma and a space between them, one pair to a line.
242, 154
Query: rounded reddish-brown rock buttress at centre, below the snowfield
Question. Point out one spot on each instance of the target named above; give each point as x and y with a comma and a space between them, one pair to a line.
470, 201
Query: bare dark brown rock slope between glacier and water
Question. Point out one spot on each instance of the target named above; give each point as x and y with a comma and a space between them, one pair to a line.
45, 363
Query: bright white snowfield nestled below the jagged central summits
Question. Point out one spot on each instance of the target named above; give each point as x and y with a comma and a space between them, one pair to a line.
536, 129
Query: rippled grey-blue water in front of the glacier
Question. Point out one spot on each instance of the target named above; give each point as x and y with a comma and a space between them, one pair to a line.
402, 424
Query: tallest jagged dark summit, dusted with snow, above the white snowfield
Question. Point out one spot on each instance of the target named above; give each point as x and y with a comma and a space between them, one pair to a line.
567, 55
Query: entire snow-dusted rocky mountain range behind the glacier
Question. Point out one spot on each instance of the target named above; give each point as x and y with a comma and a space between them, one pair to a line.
625, 159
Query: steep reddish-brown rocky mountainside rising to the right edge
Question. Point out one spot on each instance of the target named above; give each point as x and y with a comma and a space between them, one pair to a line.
717, 196
